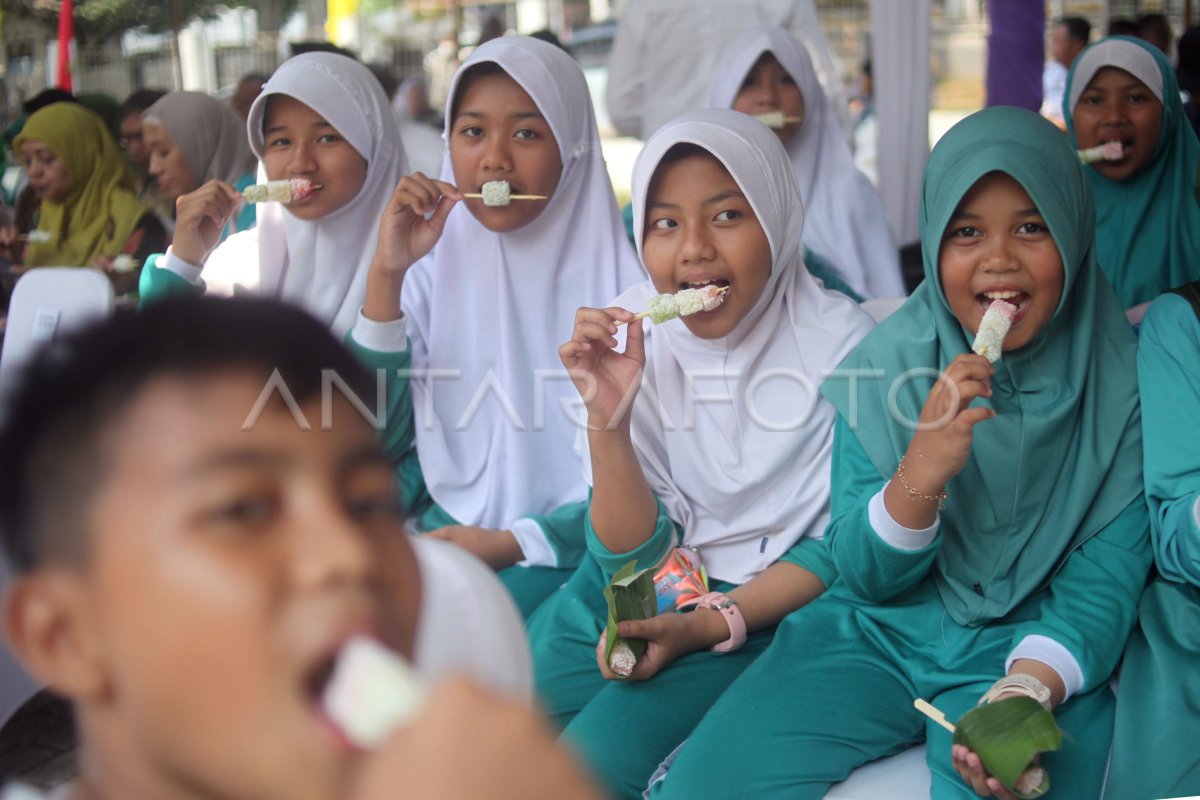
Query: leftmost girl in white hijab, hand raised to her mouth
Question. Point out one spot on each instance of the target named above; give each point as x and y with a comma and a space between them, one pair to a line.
328, 122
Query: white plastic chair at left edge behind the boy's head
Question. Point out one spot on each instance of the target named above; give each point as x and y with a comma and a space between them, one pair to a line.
46, 304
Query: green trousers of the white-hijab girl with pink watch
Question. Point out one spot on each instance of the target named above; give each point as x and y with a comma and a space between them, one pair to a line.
622, 730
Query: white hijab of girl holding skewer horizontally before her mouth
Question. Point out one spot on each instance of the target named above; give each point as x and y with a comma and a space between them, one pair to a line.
497, 306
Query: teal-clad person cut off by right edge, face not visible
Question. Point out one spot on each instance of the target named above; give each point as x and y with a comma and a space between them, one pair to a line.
1159, 708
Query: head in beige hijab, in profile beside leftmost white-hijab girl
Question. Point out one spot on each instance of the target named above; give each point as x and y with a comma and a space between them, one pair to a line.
194, 139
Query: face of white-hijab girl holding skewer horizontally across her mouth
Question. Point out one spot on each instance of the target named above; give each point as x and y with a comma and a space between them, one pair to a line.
502, 136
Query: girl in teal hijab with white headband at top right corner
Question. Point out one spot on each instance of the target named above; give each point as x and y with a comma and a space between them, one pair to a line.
1148, 236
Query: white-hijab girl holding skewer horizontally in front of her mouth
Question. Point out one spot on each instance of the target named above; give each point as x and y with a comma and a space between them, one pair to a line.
495, 468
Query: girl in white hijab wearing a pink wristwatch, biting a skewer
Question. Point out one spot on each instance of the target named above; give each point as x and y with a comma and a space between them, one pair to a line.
727, 449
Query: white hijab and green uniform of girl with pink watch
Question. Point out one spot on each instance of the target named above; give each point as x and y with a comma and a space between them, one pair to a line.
745, 492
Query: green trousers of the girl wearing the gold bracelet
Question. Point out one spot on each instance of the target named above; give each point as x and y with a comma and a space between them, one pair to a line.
836, 690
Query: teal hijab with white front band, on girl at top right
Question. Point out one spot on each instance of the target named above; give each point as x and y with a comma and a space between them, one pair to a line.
1148, 237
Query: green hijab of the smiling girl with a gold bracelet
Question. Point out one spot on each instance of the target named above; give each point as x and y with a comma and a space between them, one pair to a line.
1063, 458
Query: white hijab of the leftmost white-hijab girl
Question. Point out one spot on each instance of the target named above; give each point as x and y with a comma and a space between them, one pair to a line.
320, 266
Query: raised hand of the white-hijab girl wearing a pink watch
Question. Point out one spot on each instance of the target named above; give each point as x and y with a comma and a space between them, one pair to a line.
608, 381
